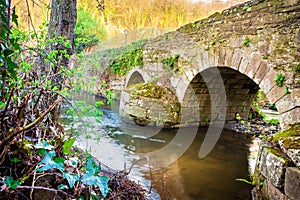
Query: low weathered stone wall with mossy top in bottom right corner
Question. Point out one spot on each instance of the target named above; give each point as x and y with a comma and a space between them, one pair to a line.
279, 169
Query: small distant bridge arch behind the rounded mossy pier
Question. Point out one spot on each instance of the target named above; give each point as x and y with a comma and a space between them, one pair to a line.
135, 76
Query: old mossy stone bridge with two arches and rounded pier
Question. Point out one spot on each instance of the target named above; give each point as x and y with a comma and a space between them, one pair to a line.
212, 69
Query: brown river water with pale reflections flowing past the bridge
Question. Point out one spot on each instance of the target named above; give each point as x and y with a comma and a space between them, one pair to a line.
120, 145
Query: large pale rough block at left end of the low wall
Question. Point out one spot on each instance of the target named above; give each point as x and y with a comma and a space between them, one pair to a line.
273, 165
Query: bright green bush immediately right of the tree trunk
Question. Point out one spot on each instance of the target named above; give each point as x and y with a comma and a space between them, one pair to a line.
88, 31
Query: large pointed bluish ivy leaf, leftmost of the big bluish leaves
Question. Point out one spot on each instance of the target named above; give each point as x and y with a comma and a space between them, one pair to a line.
49, 163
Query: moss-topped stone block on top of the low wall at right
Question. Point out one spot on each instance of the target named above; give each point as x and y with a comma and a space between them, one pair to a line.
291, 146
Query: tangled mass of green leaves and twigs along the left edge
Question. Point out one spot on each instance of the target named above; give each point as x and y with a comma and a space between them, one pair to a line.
24, 95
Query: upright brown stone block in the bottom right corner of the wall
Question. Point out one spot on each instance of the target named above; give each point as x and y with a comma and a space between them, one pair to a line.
292, 183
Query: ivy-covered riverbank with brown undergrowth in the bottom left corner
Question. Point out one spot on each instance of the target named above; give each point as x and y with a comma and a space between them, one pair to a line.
77, 176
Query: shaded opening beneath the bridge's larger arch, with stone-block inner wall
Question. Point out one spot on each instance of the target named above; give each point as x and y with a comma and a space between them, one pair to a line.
240, 93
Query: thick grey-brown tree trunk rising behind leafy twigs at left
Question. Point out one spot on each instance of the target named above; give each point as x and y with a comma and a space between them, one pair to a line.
61, 25
